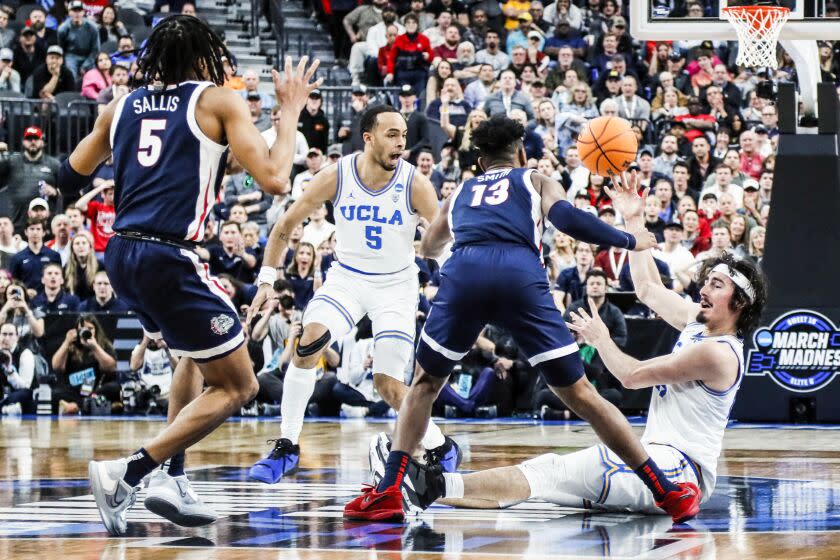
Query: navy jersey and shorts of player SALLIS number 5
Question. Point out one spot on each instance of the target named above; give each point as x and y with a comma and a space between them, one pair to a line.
167, 174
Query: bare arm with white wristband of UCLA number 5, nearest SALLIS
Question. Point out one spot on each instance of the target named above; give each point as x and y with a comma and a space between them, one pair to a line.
320, 189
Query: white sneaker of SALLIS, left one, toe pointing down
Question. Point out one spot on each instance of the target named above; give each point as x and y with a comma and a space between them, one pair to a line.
113, 495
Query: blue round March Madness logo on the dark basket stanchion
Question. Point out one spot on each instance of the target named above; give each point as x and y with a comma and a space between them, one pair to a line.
800, 351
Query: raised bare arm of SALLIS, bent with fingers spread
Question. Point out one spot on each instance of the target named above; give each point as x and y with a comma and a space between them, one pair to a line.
222, 112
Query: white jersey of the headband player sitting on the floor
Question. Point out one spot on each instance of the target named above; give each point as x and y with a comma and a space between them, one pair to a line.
690, 416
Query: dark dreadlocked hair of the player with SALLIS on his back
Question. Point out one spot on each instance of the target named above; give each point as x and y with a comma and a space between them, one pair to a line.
182, 48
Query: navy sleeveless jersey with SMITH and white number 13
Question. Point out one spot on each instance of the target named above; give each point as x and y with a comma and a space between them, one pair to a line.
500, 206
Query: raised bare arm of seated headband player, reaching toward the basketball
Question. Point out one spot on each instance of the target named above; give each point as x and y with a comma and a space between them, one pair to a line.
669, 305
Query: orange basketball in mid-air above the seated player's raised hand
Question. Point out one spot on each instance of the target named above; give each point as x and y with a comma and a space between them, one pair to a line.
607, 144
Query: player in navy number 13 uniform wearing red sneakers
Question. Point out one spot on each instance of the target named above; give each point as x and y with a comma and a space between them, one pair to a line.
495, 275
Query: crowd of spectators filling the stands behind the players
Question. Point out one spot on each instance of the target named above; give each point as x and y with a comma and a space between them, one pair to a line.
706, 151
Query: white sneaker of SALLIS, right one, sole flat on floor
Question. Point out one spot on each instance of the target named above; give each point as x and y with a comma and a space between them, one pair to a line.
172, 497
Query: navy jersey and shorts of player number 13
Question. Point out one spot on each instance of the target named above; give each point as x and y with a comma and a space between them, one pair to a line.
495, 275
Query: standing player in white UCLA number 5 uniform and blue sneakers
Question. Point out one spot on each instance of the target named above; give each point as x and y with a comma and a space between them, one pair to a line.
378, 199
